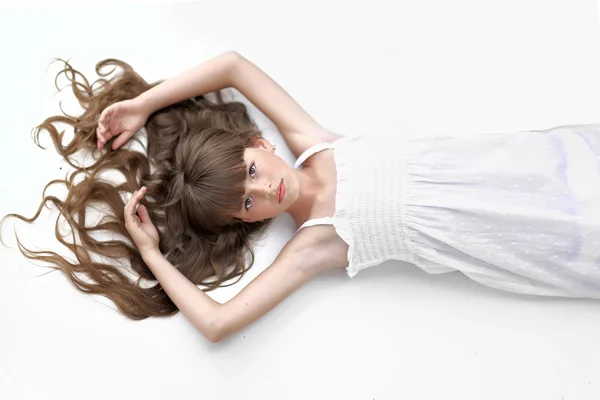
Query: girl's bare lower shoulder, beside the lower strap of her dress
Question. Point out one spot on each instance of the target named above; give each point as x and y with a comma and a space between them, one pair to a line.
316, 248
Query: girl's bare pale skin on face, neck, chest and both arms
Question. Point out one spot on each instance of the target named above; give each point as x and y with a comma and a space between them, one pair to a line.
310, 193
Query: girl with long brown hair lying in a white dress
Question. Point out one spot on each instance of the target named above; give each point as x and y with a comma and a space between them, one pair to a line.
517, 211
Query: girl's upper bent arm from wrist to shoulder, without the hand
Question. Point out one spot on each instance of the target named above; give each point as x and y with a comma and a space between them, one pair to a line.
230, 69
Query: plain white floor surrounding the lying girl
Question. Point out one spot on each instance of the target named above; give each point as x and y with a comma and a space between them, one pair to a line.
375, 68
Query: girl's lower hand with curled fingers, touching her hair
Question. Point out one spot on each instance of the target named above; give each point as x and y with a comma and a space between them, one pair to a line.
140, 228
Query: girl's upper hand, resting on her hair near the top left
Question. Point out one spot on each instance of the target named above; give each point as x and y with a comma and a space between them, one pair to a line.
123, 118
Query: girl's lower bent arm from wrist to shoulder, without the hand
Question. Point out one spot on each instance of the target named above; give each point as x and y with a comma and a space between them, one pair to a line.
290, 270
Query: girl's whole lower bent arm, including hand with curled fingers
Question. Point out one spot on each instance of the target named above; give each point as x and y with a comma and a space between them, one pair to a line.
301, 258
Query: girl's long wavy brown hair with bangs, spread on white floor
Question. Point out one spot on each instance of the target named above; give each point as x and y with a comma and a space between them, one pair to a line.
194, 171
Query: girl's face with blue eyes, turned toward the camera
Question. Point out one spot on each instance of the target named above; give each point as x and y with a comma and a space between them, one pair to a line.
267, 174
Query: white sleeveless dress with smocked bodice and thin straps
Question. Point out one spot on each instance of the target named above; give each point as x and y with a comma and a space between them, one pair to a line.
515, 211
